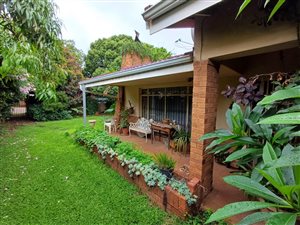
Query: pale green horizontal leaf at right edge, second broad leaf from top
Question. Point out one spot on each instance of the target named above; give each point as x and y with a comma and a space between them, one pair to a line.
287, 118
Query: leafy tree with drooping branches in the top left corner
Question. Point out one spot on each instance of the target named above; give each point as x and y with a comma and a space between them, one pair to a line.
29, 43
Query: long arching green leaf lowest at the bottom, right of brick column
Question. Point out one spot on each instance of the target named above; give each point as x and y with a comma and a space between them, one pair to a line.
237, 208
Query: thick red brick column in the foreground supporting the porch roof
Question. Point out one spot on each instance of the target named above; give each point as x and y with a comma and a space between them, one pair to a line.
204, 113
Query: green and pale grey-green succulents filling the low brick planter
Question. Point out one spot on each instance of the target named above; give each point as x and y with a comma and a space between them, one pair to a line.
138, 163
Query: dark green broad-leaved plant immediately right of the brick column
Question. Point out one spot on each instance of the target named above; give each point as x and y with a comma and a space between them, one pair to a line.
245, 140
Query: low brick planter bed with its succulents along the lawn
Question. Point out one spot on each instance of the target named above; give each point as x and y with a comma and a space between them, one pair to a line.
174, 196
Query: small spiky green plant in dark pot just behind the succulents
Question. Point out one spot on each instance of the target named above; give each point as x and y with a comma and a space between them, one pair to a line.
165, 163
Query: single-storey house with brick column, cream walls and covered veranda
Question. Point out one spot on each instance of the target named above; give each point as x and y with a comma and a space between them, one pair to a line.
188, 86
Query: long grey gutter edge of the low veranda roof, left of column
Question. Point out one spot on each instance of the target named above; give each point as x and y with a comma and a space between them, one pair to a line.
169, 62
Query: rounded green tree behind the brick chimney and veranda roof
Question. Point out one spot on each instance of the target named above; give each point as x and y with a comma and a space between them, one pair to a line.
105, 55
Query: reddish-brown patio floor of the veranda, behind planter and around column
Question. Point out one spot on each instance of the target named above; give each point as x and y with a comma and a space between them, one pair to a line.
221, 194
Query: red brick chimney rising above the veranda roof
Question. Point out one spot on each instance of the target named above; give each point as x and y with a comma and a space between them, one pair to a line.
133, 59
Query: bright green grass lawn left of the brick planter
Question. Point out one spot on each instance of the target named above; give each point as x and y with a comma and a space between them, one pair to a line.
46, 178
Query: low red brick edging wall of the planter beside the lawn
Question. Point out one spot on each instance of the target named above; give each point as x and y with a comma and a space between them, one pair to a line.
169, 200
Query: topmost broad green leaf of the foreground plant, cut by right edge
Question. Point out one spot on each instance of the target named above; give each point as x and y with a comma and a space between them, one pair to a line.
281, 95
